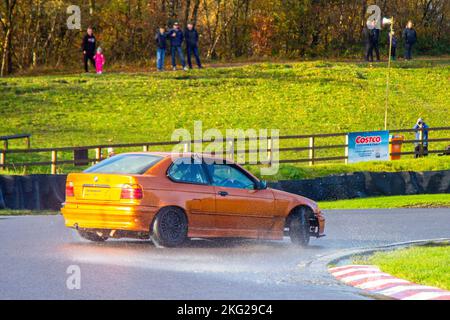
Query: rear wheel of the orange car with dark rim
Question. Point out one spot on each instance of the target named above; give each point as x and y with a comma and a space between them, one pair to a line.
170, 227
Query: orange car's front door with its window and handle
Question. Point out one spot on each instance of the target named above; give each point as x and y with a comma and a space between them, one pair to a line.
240, 206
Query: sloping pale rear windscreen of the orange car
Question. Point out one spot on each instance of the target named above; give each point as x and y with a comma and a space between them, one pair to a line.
126, 164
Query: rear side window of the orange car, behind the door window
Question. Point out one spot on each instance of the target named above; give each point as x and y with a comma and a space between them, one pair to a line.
188, 172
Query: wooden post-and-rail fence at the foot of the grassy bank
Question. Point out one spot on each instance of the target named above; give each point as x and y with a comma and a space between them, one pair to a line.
297, 144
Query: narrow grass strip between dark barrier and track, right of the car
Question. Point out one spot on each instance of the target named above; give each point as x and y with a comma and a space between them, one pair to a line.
413, 201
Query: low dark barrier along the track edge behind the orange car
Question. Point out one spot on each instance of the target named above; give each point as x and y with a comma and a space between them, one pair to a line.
46, 192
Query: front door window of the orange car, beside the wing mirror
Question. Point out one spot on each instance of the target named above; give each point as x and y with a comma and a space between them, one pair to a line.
229, 177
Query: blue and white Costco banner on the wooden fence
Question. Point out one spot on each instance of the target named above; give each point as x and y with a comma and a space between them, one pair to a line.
368, 146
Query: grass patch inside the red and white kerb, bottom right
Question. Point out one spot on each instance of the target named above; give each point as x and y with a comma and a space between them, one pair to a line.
428, 265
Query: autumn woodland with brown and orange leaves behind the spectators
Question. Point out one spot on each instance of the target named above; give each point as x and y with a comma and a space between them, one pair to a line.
34, 32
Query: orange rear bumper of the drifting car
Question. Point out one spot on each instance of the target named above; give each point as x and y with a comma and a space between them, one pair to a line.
128, 218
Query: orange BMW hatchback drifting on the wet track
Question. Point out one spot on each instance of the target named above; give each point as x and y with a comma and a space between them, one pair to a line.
169, 197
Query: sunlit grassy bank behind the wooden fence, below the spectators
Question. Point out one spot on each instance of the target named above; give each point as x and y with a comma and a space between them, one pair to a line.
297, 98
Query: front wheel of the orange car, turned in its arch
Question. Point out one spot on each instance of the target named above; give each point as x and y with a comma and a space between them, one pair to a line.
299, 226
